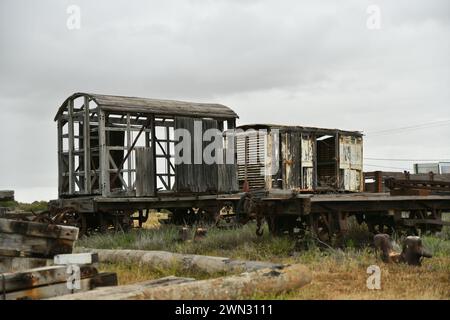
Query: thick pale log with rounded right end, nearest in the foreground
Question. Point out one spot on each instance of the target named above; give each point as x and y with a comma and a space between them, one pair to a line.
248, 284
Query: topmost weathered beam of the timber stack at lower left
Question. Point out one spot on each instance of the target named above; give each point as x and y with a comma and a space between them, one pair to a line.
36, 229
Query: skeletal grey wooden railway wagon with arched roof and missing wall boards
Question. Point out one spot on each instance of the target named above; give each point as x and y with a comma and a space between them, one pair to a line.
116, 156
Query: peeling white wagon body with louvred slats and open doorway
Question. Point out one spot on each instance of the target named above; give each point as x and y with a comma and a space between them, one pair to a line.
301, 158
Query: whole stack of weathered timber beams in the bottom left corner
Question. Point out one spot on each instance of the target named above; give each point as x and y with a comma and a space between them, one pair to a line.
36, 262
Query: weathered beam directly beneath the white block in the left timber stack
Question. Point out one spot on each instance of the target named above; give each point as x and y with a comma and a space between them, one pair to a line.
37, 277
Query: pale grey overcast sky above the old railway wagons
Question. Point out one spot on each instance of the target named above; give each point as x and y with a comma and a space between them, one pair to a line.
287, 62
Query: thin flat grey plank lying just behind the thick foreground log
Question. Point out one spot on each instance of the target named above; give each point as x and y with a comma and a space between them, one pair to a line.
106, 293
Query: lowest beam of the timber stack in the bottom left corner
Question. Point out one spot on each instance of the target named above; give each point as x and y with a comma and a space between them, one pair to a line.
60, 289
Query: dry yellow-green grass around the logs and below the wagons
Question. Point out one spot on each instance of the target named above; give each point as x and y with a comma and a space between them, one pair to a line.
337, 273
